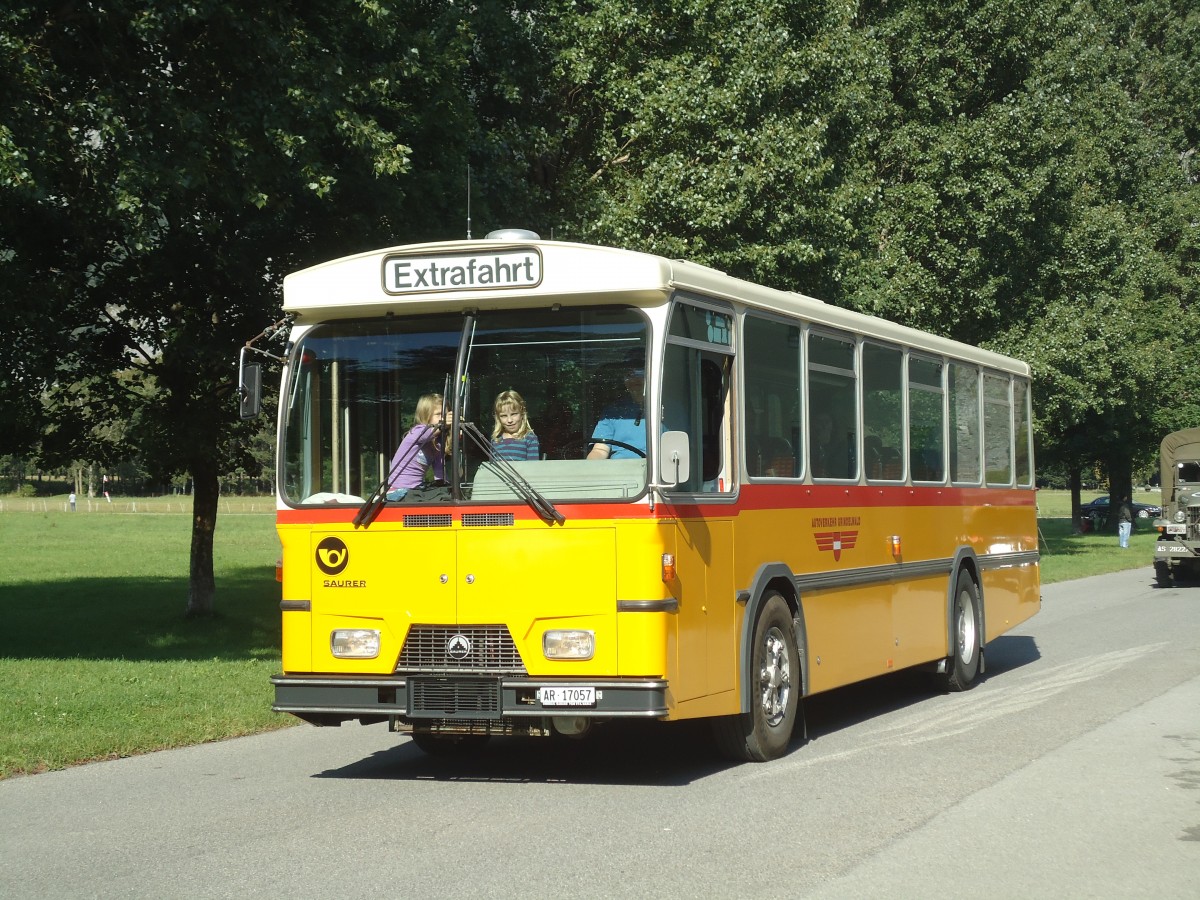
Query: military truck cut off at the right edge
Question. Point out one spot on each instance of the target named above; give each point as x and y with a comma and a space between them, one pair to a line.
1178, 551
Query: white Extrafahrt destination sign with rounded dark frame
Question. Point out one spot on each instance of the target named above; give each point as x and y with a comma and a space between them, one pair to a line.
470, 272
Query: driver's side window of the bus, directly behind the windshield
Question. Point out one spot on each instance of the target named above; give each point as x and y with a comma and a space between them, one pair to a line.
697, 370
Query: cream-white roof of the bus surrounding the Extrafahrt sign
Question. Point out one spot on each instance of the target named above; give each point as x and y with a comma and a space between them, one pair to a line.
525, 274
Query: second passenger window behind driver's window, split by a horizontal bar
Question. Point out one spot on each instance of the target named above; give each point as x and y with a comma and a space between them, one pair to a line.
833, 409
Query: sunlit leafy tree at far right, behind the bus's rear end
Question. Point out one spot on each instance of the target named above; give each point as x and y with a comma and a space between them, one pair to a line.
1033, 201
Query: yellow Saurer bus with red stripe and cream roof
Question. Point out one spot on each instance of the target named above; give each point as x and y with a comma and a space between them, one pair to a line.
740, 497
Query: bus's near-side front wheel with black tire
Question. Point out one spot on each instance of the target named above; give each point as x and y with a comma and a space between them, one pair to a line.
775, 674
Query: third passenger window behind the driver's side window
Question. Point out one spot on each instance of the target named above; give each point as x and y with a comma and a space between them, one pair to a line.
883, 413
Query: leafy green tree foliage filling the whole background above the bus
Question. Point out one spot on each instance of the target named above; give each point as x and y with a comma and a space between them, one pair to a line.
1015, 173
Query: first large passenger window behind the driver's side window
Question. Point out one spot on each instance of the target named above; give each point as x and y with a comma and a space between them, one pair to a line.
773, 398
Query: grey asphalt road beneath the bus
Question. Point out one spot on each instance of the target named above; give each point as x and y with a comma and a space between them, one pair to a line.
1072, 771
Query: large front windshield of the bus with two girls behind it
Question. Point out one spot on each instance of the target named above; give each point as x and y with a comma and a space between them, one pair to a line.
357, 388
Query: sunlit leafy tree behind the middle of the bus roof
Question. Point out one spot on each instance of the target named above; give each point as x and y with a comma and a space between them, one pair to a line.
722, 133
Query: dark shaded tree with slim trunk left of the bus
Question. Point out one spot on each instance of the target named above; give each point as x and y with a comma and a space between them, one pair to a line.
166, 164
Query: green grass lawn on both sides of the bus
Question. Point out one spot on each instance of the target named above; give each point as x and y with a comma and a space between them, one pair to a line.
98, 661
